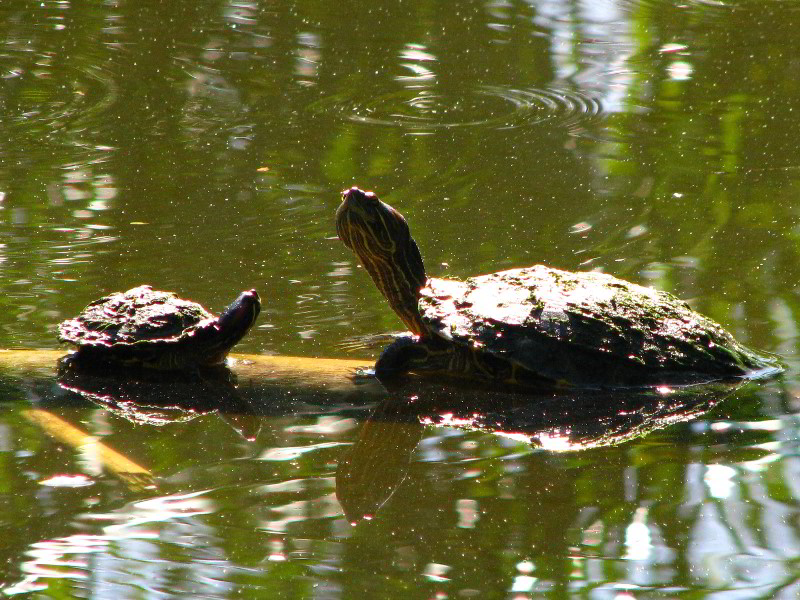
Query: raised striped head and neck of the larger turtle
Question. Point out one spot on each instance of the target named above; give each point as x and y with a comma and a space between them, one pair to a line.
380, 237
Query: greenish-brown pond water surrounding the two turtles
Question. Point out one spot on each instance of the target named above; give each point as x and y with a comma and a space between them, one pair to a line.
200, 147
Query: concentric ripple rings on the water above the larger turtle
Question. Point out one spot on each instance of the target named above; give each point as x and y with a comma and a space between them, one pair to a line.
487, 106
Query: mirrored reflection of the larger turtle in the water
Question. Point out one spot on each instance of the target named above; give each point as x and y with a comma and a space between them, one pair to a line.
371, 470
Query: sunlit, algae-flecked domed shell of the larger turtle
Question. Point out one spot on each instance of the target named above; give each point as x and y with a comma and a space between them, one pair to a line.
583, 328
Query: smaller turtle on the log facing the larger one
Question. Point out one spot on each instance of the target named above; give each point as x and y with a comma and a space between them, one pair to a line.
158, 330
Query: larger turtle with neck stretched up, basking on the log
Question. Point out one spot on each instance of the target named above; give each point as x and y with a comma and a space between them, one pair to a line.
537, 325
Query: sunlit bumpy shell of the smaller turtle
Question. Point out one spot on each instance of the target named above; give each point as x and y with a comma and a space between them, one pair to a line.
139, 316
